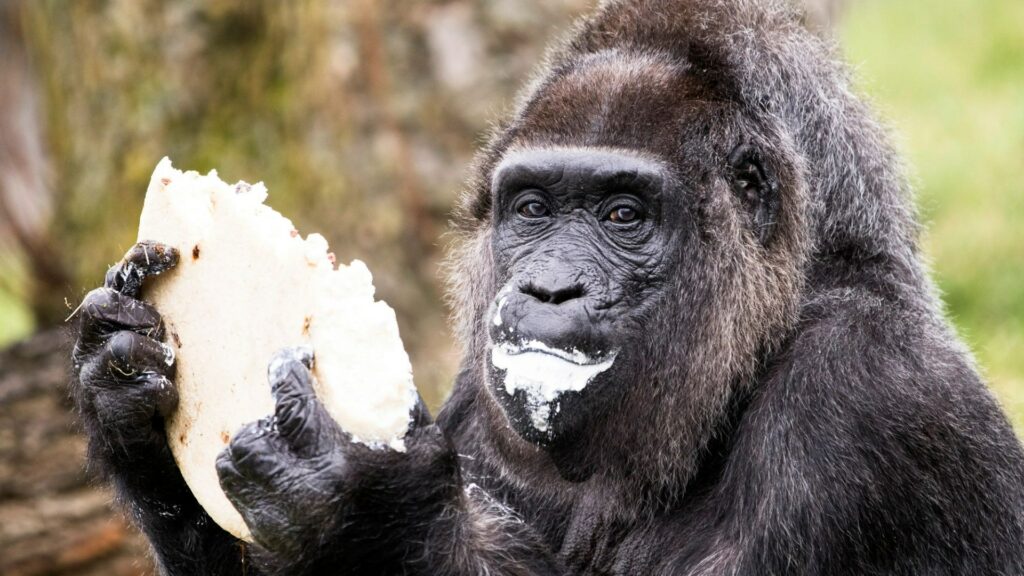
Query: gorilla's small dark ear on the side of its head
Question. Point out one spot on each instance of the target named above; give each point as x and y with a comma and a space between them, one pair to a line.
756, 188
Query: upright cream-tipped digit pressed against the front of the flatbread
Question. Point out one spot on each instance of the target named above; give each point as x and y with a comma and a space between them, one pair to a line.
302, 420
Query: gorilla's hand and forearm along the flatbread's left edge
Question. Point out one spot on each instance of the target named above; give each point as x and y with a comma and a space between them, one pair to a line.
123, 389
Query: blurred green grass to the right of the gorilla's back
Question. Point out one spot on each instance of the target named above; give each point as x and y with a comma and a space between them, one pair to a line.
950, 79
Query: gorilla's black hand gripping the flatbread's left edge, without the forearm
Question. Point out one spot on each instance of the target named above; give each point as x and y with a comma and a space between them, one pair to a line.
123, 374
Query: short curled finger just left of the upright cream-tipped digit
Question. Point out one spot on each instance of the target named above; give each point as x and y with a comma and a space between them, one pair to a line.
258, 454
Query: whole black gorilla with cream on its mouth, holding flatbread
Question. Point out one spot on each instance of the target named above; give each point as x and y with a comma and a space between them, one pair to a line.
698, 339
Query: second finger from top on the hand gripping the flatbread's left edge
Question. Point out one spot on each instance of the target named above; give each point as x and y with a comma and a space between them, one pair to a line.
105, 311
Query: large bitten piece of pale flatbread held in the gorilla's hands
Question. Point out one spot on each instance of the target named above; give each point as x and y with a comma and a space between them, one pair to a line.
248, 285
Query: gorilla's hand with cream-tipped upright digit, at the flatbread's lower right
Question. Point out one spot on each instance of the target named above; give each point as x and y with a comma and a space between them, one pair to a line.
317, 501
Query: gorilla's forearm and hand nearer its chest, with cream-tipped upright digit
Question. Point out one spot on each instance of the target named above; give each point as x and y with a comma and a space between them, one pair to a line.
320, 504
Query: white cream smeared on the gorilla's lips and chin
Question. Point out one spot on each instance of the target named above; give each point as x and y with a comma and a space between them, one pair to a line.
545, 374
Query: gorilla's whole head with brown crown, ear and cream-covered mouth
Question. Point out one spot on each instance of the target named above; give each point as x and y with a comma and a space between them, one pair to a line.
634, 242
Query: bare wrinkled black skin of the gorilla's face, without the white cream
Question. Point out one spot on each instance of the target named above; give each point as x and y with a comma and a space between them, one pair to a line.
581, 249
